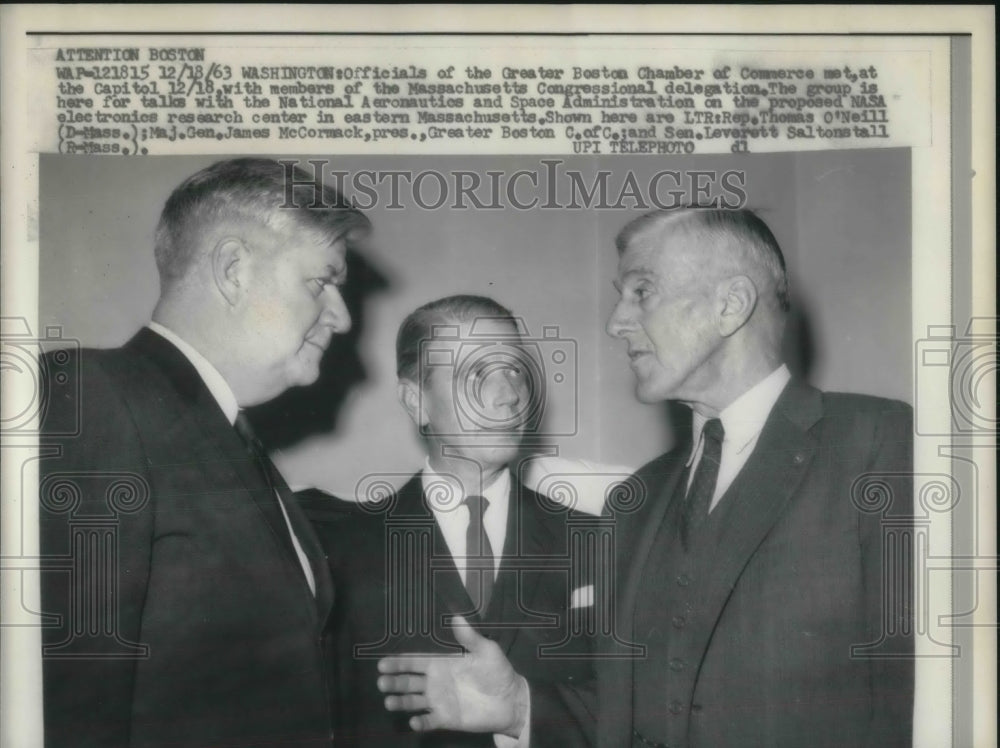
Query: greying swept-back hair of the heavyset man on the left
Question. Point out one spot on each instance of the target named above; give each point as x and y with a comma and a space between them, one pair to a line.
256, 191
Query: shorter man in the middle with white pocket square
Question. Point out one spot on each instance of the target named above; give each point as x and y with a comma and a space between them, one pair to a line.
463, 537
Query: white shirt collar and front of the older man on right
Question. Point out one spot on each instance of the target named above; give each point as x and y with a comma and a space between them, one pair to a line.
742, 422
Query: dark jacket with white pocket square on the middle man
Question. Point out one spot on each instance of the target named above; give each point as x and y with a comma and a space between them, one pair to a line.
529, 608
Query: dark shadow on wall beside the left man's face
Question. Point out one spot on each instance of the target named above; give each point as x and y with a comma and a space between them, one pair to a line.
302, 412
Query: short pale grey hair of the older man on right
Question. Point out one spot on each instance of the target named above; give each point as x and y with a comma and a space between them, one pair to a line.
741, 229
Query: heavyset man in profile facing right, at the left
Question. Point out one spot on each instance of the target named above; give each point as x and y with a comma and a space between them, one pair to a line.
189, 596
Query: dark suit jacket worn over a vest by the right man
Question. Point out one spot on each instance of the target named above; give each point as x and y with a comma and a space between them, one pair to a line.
764, 651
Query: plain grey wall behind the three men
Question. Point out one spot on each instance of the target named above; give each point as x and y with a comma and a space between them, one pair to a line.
842, 219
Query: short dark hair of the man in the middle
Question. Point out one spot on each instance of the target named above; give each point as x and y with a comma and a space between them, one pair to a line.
419, 326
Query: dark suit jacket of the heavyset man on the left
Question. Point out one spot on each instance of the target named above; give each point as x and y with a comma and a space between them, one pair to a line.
184, 618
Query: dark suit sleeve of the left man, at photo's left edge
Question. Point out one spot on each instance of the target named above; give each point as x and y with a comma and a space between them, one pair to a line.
95, 538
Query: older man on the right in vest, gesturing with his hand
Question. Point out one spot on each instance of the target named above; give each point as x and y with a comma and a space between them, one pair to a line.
755, 576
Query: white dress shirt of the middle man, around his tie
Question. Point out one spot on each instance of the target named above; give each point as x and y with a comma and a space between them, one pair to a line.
446, 499
